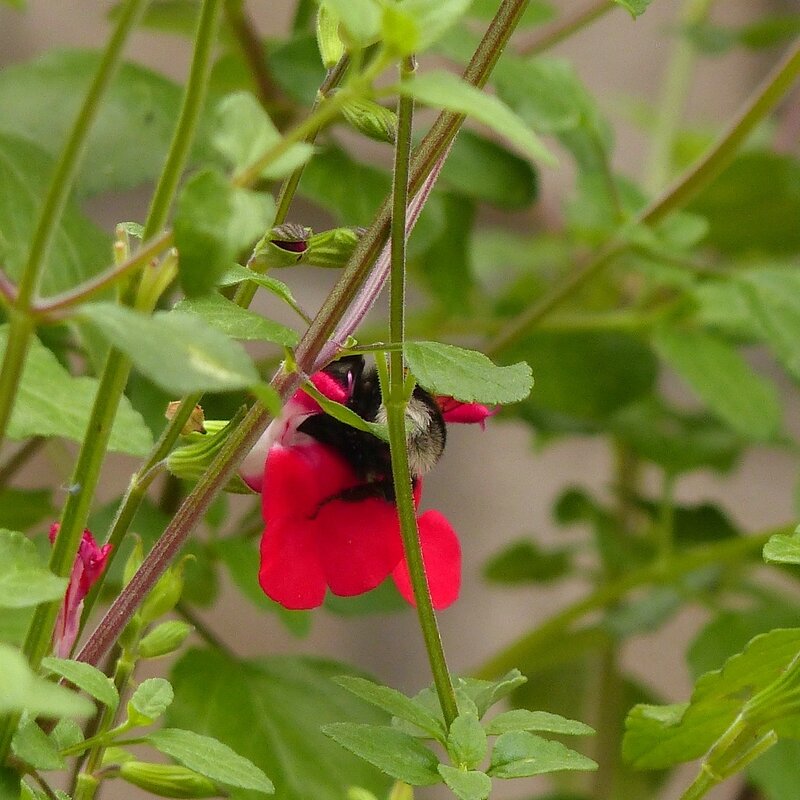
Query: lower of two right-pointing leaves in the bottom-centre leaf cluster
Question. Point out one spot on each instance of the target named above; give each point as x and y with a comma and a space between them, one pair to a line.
519, 754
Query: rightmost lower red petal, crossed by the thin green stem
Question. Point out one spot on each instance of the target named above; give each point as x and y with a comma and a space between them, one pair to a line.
441, 554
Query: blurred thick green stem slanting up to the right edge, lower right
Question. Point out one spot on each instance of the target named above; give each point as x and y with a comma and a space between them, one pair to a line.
723, 554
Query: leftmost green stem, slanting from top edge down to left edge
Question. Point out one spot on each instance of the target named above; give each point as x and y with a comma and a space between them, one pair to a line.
52, 208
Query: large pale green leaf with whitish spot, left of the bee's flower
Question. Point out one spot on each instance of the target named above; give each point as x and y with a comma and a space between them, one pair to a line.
177, 351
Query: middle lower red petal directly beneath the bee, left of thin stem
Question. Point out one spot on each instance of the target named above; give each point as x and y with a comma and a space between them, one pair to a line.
359, 543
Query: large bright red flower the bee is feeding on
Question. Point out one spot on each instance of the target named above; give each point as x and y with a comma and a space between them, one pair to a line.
320, 534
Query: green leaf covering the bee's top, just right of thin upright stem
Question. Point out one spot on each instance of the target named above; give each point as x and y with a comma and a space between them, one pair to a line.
466, 375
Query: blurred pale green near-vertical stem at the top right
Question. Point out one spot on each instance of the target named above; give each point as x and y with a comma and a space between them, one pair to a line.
673, 98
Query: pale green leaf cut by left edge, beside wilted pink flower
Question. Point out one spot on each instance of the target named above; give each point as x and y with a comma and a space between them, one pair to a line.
24, 579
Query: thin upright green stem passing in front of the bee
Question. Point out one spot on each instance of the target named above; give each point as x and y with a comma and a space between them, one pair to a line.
396, 412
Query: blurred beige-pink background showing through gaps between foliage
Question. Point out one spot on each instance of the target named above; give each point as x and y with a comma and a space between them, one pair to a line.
494, 485
